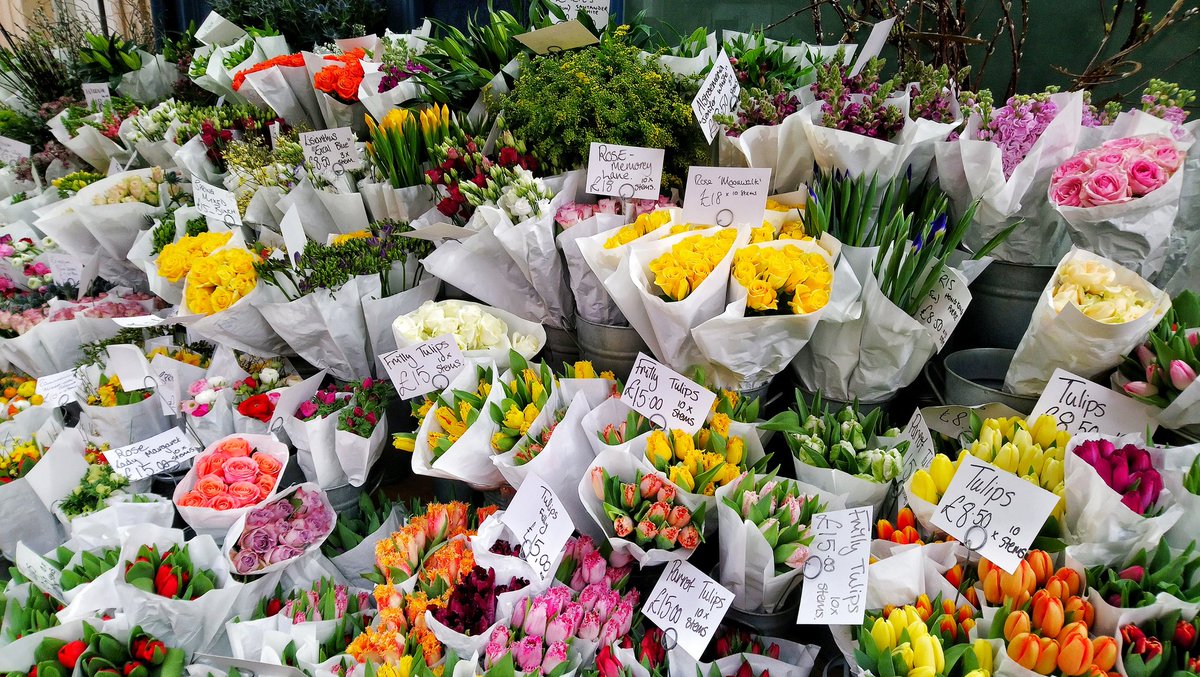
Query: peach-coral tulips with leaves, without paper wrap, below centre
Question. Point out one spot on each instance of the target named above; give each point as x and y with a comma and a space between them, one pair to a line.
647, 511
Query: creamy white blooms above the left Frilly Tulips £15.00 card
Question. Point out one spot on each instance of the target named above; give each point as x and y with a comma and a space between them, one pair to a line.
479, 331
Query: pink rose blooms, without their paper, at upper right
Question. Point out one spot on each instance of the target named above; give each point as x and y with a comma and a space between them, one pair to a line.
1117, 172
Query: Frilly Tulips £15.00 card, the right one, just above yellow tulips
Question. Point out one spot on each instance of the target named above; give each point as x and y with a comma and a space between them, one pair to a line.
667, 398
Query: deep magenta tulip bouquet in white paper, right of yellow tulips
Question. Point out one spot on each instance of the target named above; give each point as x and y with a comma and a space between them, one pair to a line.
1115, 499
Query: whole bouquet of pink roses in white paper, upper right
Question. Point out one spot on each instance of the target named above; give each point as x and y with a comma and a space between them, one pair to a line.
1120, 200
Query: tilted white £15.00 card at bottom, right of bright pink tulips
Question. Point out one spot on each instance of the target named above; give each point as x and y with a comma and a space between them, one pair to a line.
688, 602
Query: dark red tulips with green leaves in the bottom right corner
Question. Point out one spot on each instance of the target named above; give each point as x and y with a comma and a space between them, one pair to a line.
1162, 648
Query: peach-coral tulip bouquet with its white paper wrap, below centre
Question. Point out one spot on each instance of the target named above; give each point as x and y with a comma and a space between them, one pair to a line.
646, 518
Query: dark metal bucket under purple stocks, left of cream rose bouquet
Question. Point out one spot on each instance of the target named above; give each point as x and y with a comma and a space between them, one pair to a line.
1003, 302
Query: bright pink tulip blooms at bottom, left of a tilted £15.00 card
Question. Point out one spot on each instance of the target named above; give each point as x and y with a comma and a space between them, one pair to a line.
544, 627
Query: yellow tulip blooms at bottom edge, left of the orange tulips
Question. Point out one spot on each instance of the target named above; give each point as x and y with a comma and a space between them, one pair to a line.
904, 643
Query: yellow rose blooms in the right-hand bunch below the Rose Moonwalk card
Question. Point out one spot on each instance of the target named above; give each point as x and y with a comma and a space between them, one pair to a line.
799, 278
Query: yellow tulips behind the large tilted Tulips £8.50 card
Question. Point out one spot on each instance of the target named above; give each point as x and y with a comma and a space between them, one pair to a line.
1035, 452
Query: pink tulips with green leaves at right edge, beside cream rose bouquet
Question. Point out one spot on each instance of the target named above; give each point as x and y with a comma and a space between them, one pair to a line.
1167, 364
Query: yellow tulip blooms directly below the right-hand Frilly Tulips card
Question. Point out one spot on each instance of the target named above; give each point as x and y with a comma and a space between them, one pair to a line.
703, 463
